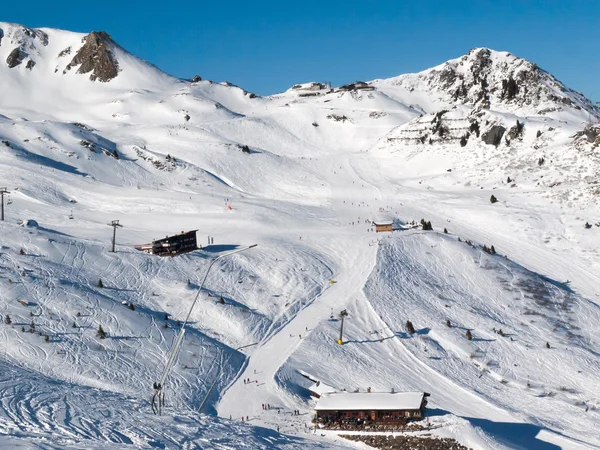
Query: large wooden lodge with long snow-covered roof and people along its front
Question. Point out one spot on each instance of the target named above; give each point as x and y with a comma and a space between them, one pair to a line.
370, 408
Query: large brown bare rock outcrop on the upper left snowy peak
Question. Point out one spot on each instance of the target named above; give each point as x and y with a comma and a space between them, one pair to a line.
96, 56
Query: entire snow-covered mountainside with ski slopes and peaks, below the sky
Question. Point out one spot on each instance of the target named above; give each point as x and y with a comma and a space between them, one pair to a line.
89, 133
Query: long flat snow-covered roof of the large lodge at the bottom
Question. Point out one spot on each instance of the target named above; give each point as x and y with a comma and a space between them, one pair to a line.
344, 401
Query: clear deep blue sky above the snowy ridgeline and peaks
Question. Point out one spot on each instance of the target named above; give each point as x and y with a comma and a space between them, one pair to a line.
267, 46
